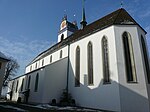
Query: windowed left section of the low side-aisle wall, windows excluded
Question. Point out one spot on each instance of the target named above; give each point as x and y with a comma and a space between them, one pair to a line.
34, 97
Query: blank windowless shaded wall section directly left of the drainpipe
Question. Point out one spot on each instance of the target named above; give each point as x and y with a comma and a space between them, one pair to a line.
55, 80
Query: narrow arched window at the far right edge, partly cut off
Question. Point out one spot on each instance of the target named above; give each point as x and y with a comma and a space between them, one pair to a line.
145, 58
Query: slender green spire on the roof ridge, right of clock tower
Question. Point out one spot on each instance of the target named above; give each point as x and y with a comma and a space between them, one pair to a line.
83, 21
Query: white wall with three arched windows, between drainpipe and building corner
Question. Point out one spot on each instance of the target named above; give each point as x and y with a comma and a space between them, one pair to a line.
100, 96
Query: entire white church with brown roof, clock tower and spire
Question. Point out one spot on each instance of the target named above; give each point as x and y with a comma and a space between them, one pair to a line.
103, 65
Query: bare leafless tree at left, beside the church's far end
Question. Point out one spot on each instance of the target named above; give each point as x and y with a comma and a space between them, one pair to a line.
11, 70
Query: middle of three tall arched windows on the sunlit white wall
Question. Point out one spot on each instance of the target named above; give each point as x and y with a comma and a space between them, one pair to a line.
90, 63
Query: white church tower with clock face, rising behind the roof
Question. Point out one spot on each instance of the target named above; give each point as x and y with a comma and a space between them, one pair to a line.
66, 29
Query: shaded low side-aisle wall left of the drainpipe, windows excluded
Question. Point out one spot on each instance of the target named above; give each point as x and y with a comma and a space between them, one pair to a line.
52, 81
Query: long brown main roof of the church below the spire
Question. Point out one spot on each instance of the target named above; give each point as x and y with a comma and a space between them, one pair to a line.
118, 17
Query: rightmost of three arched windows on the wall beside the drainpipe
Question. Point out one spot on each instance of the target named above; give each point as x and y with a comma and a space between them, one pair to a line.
105, 60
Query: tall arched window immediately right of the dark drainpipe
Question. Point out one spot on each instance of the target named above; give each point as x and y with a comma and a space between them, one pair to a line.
77, 69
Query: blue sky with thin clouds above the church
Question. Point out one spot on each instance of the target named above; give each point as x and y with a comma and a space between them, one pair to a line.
27, 27
